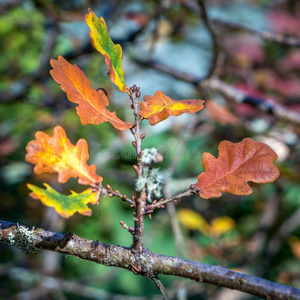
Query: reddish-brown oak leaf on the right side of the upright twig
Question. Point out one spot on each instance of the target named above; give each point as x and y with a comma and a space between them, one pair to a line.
236, 164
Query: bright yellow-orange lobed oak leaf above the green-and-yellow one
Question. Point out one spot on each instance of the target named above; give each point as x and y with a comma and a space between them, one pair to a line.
56, 154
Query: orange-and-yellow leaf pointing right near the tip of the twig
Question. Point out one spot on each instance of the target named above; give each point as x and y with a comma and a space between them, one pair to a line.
159, 107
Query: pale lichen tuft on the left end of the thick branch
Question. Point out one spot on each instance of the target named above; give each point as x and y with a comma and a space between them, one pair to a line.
23, 238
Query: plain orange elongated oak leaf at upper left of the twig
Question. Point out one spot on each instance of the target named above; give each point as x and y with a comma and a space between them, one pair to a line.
92, 103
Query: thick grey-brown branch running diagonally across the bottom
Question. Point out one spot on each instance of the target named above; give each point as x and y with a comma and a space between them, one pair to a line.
151, 264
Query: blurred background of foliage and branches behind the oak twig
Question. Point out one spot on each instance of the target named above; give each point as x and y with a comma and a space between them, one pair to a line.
213, 50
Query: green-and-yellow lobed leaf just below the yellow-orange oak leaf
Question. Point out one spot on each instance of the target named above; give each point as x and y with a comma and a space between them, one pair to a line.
66, 206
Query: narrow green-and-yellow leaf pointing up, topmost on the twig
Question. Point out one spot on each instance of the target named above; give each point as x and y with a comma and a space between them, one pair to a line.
112, 53
